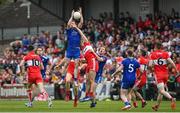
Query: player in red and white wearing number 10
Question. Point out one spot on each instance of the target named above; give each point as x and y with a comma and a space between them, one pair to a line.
34, 65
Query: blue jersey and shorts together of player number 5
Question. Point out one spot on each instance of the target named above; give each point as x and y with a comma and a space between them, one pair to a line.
130, 66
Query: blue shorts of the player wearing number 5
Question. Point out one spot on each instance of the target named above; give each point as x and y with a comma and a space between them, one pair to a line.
127, 84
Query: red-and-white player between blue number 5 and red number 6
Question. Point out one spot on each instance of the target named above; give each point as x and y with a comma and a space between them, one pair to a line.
141, 77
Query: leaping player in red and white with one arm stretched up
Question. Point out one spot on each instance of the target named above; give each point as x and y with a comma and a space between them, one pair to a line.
92, 66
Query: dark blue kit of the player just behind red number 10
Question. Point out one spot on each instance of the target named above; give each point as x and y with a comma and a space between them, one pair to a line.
45, 61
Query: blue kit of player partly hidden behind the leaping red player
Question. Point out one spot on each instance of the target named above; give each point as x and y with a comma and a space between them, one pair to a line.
100, 70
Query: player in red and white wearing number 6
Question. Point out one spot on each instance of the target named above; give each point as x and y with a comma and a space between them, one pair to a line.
159, 60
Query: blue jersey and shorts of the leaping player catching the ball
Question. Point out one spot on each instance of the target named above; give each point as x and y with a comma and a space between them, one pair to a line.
73, 43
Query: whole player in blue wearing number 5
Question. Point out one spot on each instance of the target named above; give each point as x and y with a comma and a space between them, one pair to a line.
129, 67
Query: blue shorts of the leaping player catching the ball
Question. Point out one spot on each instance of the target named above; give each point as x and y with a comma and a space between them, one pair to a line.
73, 54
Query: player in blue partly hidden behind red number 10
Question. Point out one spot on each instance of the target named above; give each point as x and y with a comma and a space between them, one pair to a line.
45, 61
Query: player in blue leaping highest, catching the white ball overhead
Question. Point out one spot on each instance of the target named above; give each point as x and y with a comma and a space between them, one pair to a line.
72, 47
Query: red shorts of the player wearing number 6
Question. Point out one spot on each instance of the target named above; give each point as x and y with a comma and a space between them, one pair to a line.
162, 78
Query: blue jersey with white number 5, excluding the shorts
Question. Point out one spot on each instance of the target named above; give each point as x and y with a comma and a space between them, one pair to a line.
129, 69
